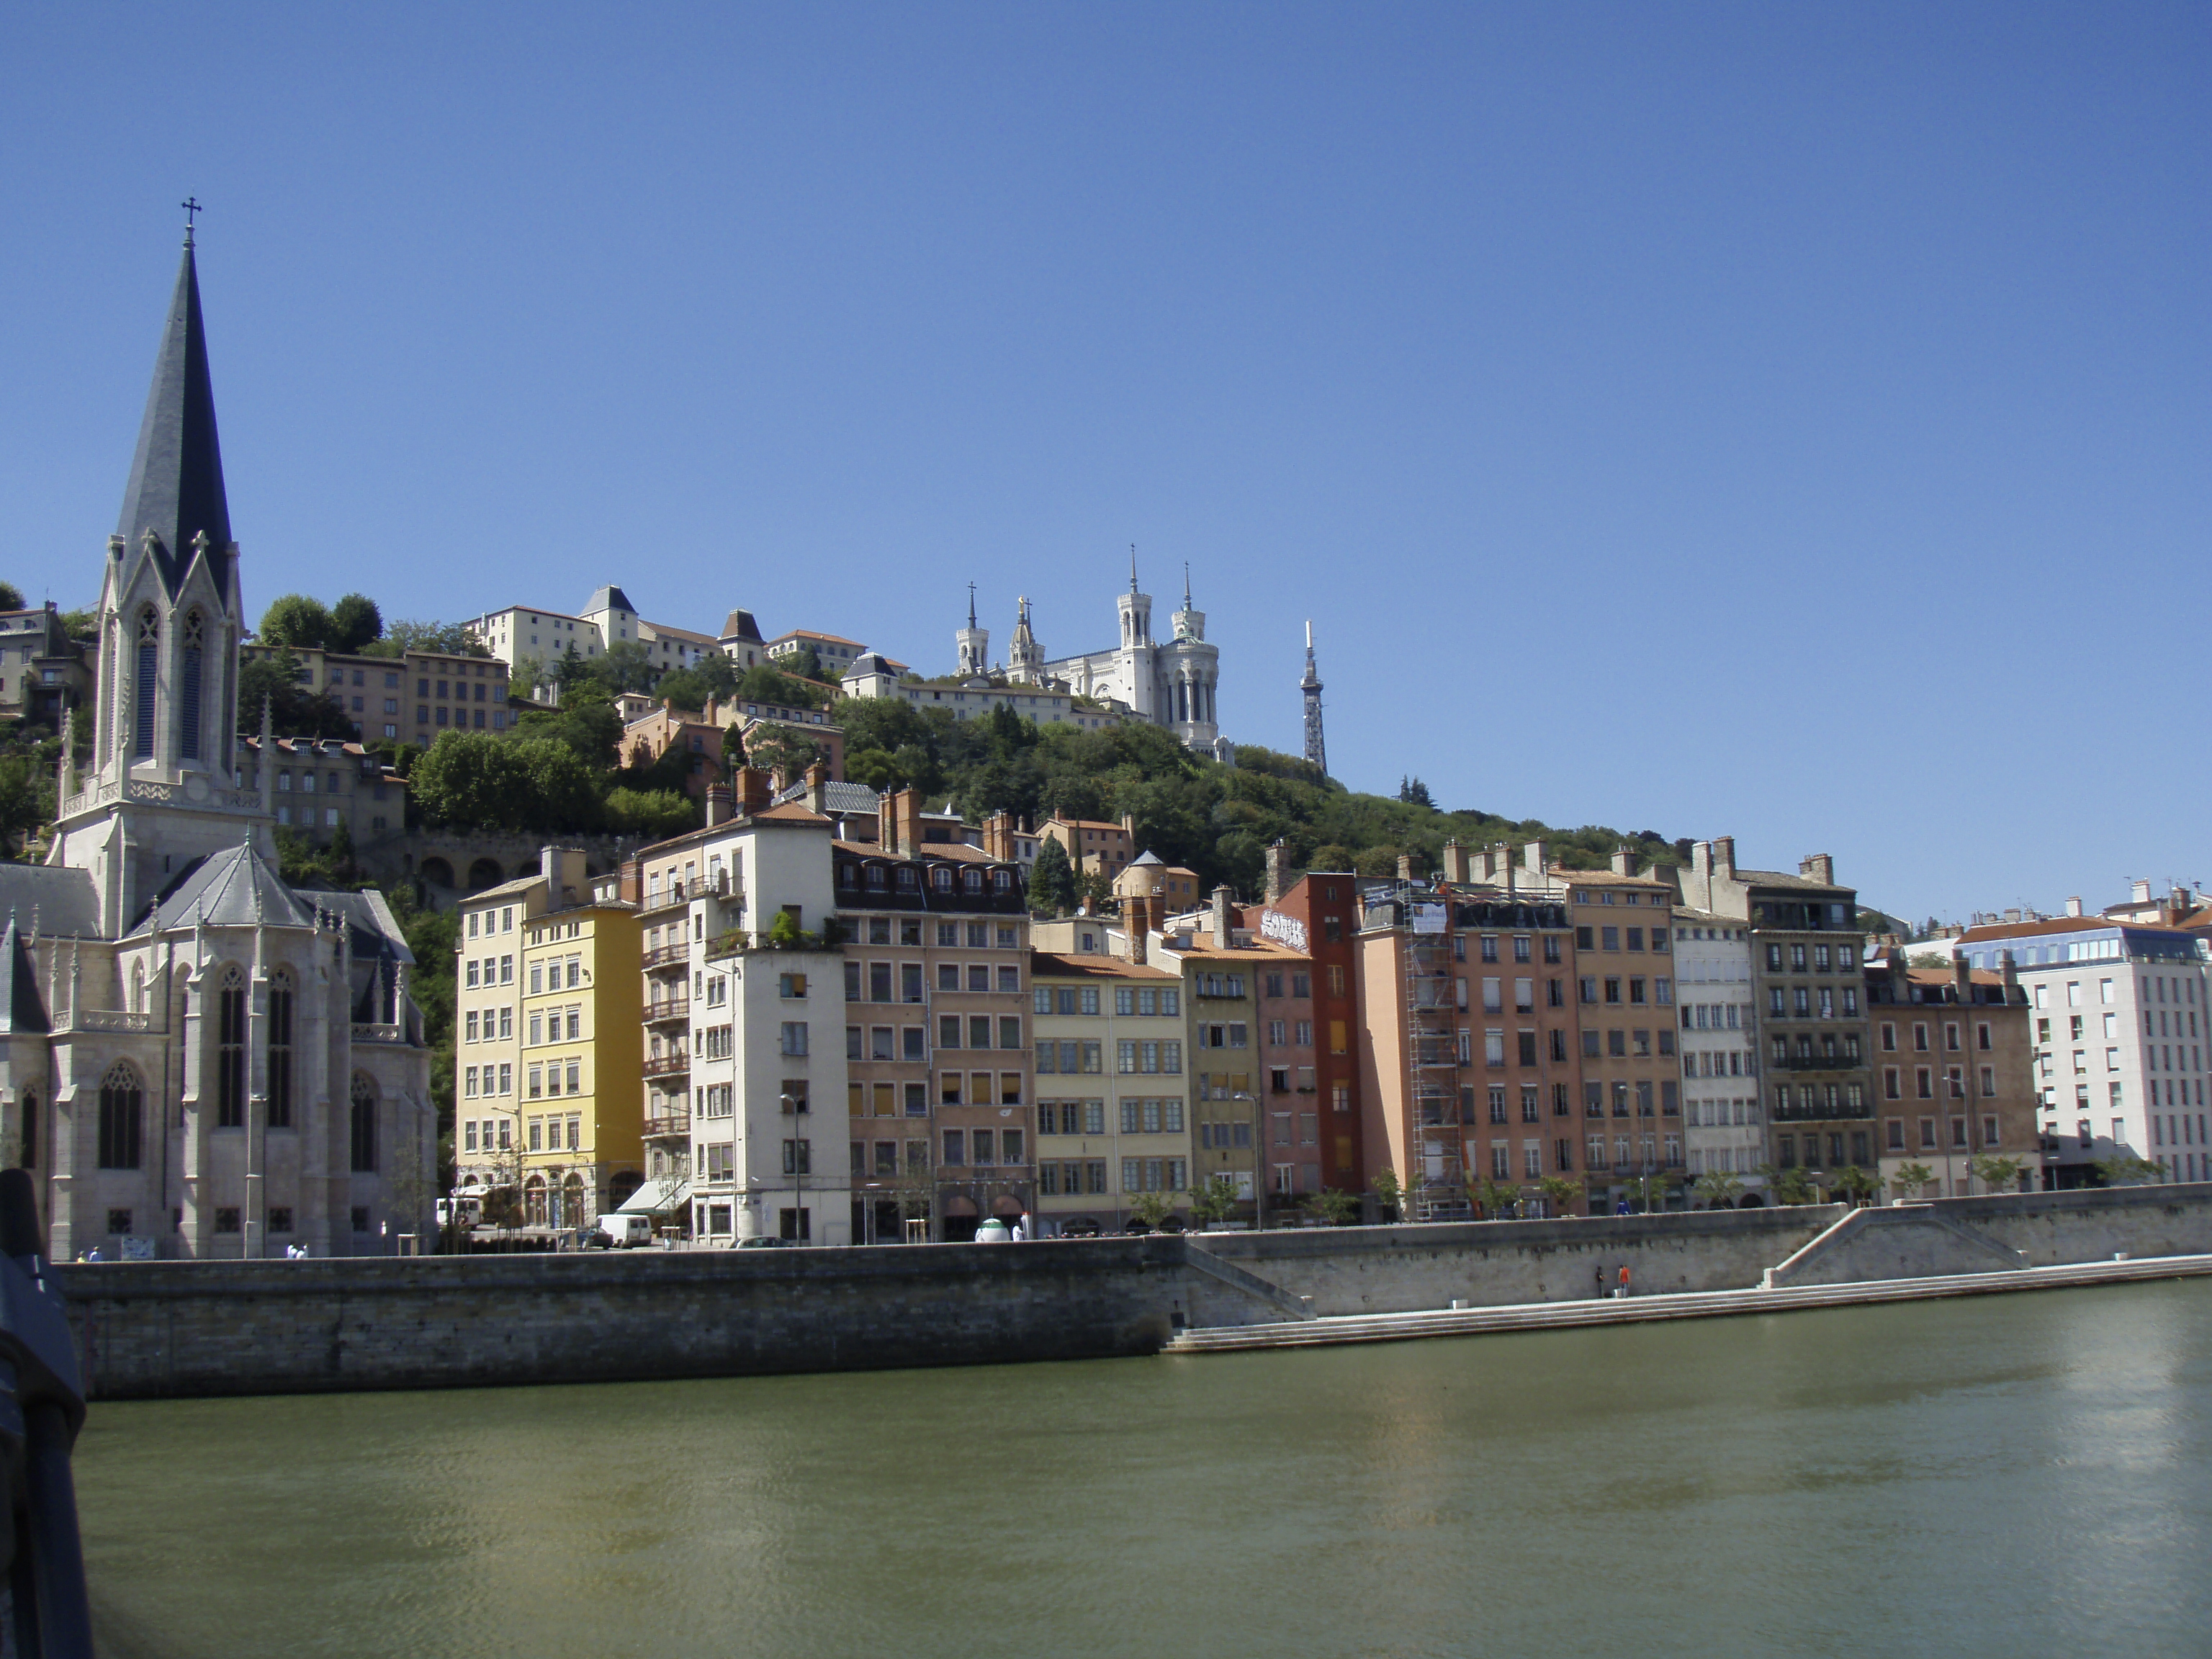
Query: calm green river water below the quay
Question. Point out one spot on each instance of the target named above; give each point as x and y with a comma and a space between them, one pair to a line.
1994, 1477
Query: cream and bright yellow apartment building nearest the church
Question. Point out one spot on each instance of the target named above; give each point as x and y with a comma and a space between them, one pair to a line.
545, 1045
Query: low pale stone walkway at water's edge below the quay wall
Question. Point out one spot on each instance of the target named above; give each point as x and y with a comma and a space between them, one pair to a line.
1627, 1311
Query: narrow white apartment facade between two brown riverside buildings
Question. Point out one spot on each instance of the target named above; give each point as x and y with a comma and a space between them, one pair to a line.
1720, 1052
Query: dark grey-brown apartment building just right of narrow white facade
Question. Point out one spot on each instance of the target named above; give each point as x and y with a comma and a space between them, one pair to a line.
1808, 988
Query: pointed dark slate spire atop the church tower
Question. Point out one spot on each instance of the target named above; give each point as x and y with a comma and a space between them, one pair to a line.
178, 474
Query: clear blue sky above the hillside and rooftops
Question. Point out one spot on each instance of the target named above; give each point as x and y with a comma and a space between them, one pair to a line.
1764, 421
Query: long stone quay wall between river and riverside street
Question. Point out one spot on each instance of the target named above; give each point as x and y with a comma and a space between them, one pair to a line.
185, 1328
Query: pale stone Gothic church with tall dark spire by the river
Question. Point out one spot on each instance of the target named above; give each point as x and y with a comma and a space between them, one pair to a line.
196, 1058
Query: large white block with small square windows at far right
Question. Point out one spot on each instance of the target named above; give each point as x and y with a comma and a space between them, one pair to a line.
2120, 1039
